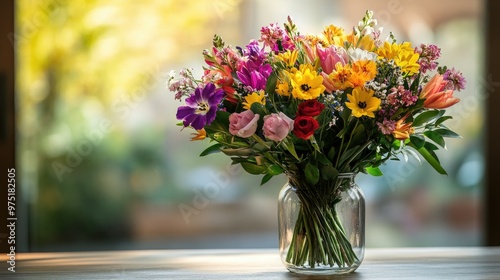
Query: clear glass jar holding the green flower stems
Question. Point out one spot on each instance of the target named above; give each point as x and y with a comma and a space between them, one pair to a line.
322, 226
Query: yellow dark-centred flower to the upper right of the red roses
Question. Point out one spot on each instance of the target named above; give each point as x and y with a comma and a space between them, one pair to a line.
362, 103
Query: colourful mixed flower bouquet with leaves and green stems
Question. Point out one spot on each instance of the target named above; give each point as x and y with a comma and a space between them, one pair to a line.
314, 106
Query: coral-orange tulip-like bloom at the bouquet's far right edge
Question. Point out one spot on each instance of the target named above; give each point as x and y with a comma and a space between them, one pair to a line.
436, 97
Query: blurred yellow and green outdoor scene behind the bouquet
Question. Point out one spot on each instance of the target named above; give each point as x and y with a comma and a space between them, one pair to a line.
102, 164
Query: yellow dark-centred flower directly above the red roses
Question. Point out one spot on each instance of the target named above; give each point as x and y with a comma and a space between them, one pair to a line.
306, 83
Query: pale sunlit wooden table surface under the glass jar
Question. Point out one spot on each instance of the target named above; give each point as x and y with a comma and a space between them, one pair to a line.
393, 263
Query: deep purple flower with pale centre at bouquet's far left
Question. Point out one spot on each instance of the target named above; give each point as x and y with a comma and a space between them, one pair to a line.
201, 107
